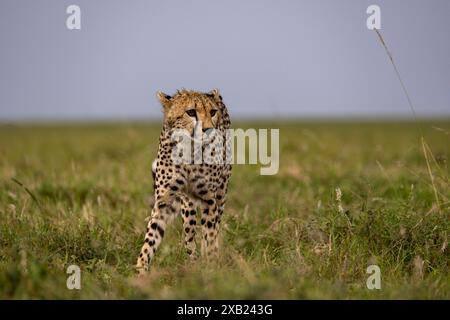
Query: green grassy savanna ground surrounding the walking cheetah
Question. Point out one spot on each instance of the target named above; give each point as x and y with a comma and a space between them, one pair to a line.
78, 194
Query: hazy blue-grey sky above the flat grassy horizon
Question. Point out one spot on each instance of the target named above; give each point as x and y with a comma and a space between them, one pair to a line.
268, 58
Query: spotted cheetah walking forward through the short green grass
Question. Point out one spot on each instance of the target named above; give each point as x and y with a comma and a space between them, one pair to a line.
182, 188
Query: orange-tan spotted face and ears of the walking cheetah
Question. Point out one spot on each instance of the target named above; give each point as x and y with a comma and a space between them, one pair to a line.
193, 111
